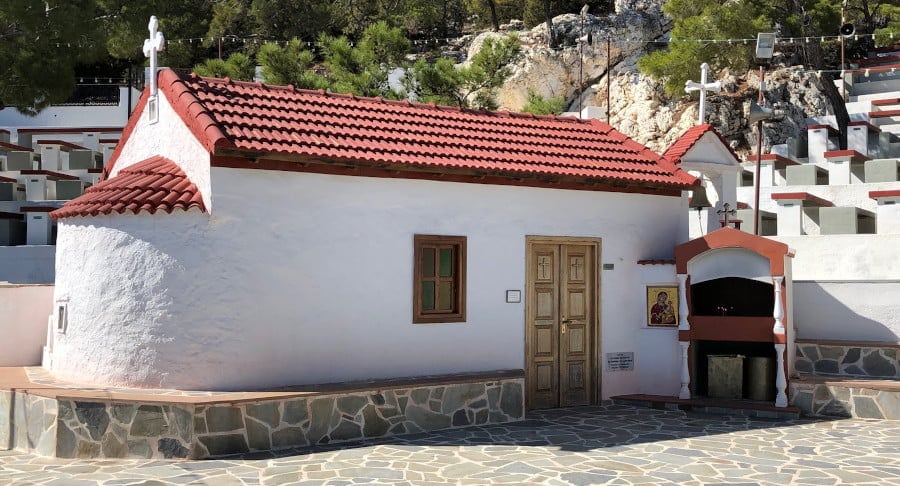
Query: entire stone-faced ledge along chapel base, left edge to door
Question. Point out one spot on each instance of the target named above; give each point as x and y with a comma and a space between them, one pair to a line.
95, 429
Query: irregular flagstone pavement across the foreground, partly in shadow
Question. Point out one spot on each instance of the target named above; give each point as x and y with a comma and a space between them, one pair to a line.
587, 445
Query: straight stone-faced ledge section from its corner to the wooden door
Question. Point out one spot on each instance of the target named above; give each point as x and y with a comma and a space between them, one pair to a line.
308, 421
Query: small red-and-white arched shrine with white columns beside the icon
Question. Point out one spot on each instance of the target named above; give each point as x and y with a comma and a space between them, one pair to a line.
735, 299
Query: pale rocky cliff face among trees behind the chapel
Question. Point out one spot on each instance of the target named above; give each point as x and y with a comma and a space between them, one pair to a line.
638, 104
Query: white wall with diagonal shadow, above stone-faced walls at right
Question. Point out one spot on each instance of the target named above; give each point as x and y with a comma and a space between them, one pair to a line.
850, 311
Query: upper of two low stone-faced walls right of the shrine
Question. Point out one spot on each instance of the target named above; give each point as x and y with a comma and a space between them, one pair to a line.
849, 359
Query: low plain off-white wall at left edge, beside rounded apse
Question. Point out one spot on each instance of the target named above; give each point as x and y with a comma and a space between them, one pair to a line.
23, 323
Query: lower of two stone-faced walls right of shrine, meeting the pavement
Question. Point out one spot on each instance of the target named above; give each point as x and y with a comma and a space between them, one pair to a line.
820, 399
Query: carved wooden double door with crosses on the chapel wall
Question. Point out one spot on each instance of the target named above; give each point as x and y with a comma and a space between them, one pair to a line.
560, 325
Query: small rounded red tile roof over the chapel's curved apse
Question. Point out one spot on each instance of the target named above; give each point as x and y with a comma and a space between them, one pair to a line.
151, 185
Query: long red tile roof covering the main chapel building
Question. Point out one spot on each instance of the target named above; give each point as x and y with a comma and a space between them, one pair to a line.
316, 126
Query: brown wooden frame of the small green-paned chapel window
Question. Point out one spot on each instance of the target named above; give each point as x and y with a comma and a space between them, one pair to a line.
458, 312
